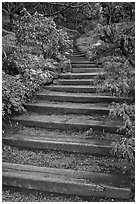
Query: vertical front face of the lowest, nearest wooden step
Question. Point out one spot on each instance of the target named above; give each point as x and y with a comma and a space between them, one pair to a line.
62, 187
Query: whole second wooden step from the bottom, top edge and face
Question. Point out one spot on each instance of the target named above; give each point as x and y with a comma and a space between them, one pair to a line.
88, 146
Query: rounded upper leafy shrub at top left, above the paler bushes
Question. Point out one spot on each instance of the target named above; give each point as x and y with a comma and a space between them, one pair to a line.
41, 31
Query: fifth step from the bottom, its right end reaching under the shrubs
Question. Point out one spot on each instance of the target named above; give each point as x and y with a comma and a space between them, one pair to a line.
82, 98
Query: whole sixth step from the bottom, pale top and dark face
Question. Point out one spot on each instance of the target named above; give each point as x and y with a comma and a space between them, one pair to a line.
73, 89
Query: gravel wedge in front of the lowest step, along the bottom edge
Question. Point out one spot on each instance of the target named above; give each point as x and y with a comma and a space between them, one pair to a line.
11, 194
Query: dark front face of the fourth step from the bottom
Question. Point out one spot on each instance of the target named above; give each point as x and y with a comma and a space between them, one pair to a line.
62, 110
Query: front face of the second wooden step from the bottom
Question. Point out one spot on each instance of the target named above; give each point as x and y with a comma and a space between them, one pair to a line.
79, 148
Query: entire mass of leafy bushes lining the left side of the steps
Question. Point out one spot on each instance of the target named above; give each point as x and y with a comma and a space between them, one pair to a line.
30, 59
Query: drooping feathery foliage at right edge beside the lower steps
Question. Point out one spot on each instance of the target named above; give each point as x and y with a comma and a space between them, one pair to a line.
125, 146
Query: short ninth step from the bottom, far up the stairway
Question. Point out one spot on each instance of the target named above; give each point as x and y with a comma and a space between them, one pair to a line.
86, 70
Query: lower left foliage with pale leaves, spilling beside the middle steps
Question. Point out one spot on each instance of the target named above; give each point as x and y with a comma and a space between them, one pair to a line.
17, 90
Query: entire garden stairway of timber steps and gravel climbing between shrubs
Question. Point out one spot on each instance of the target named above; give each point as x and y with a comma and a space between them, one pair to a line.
53, 149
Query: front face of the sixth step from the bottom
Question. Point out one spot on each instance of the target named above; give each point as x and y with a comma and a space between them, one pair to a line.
72, 90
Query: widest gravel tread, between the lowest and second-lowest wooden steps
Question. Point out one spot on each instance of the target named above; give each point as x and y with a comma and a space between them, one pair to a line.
63, 160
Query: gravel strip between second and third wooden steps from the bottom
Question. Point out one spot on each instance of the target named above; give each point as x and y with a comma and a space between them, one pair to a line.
62, 133
